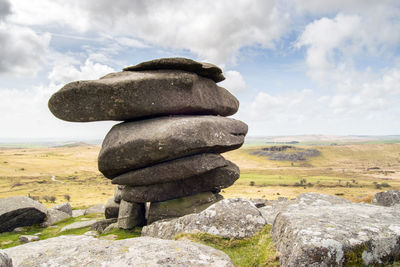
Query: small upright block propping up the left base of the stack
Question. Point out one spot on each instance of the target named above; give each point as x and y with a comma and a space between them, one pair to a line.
131, 215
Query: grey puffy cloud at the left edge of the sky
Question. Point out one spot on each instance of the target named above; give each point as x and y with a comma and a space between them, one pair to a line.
22, 50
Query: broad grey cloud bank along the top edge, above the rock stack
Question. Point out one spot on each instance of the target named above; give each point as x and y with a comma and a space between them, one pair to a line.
215, 31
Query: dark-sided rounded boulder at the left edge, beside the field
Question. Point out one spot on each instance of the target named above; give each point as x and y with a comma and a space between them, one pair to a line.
20, 211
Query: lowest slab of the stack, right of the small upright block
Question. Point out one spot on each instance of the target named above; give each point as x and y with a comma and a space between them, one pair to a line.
181, 206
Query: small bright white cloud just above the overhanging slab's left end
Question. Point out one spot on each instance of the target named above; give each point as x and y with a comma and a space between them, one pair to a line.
65, 73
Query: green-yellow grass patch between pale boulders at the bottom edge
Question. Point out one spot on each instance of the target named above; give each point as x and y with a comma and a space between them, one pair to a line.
258, 250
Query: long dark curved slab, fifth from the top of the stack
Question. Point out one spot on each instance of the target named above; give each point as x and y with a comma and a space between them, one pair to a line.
210, 181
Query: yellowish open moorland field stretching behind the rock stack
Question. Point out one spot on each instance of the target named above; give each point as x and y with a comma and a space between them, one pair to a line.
354, 171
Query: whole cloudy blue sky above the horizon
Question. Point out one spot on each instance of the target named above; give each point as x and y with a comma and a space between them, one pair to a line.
297, 67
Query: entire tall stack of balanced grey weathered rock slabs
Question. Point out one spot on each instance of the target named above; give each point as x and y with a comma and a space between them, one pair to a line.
166, 152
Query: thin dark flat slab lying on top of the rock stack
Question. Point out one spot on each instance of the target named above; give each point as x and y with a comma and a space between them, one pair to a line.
178, 63
